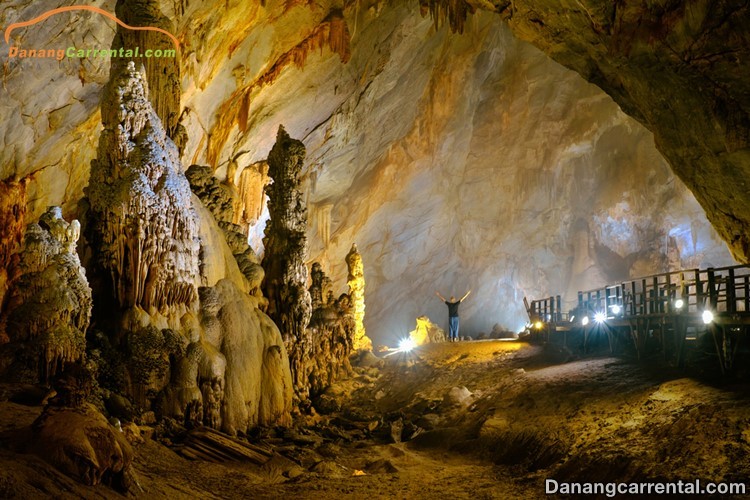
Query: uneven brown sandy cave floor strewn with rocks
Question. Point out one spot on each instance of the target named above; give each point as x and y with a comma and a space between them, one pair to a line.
524, 416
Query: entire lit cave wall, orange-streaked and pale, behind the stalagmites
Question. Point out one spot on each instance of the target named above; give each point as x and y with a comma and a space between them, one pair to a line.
453, 161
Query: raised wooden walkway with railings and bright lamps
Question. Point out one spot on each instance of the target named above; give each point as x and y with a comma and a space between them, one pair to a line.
661, 314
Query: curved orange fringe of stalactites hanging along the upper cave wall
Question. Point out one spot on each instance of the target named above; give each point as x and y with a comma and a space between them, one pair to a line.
332, 32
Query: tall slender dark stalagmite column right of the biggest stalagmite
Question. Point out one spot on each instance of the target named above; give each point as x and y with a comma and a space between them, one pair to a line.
285, 252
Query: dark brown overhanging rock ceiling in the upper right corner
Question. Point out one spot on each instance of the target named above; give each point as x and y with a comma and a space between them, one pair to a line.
667, 65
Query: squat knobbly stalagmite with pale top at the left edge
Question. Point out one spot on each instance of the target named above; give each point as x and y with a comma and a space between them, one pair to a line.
49, 304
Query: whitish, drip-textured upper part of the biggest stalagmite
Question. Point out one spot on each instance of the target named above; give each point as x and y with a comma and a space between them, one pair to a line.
143, 228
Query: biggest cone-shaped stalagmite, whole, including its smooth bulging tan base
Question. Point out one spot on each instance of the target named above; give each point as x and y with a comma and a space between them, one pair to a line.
188, 340
